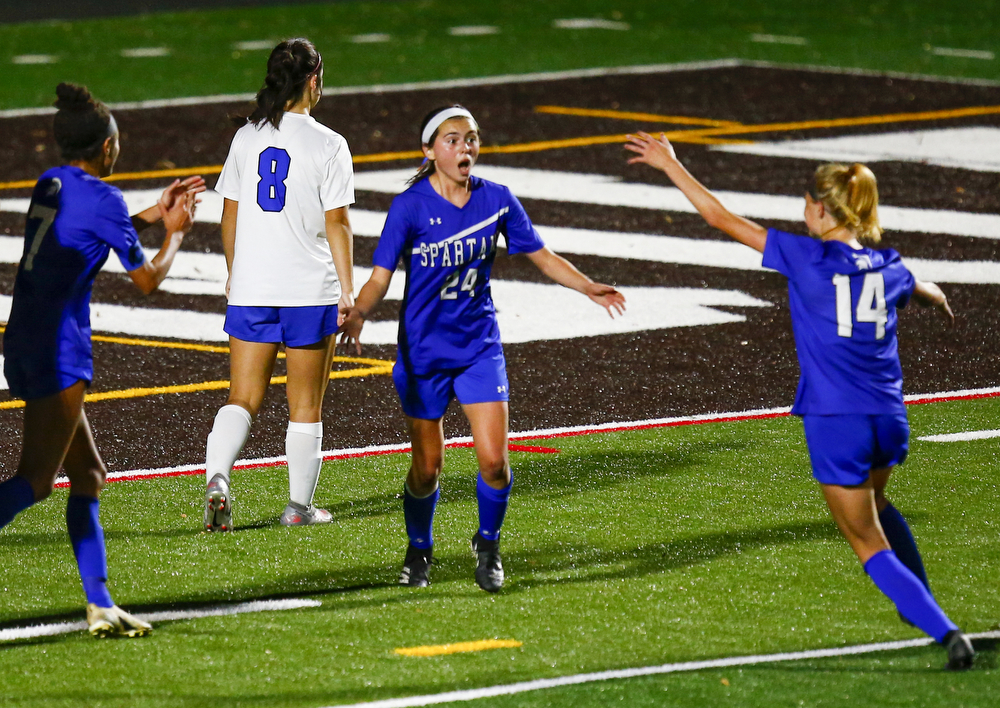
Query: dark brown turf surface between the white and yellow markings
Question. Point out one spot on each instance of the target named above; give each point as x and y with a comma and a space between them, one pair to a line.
569, 382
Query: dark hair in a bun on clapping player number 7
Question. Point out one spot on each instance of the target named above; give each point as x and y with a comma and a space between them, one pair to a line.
82, 123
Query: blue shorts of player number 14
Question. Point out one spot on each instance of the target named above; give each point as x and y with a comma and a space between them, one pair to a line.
845, 448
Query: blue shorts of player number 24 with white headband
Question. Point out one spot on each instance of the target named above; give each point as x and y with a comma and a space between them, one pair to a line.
427, 397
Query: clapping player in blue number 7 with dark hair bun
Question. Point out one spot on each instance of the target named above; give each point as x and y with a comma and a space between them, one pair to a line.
74, 221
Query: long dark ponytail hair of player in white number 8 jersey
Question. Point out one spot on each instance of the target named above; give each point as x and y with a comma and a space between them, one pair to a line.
289, 68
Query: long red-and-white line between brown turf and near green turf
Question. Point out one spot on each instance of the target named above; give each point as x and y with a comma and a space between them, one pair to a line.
547, 435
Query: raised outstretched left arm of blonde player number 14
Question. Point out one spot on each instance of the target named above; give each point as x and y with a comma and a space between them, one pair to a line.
660, 154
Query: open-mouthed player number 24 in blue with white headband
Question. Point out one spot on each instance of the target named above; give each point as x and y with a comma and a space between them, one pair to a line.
446, 227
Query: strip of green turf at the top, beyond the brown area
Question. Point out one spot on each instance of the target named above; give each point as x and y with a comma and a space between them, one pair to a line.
882, 35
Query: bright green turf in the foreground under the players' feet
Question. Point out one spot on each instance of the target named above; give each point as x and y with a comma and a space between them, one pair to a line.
624, 550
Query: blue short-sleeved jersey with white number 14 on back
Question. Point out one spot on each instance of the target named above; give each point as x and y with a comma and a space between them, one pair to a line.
843, 305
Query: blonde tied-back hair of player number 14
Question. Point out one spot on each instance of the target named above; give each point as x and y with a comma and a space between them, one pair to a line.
850, 193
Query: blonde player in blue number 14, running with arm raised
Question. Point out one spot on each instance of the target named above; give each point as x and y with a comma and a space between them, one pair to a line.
843, 296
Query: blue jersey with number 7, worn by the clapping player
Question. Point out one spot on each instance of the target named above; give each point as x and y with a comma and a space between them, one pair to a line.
74, 222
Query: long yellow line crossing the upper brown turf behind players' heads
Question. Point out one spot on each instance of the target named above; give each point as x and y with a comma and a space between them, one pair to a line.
698, 135
